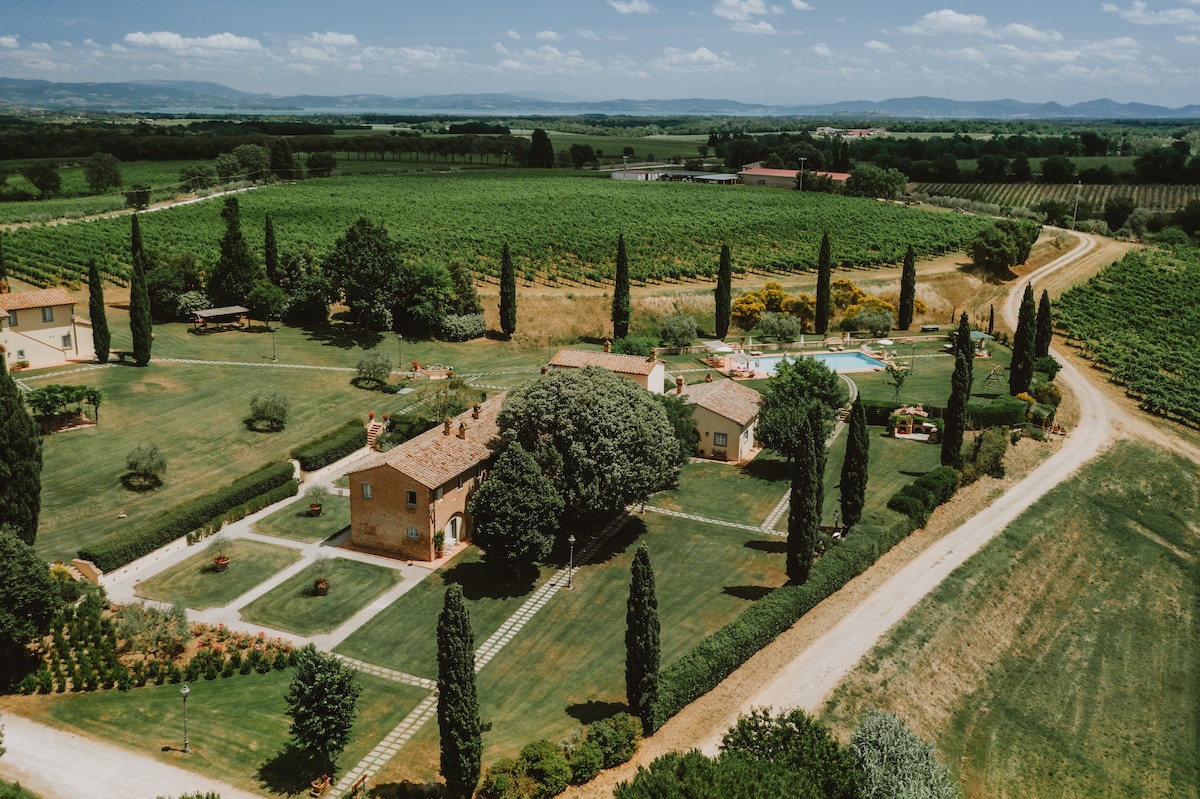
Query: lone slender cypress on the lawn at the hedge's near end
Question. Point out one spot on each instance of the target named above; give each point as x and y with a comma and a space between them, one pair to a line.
643, 641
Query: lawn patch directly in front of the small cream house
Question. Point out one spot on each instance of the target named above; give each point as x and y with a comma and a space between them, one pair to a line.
729, 492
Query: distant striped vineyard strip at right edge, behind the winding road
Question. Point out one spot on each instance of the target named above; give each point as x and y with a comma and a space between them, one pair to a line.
1160, 199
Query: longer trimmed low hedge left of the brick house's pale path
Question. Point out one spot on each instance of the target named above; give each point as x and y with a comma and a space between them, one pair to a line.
128, 546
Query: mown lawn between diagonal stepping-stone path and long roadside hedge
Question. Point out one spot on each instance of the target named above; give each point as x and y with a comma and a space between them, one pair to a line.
567, 666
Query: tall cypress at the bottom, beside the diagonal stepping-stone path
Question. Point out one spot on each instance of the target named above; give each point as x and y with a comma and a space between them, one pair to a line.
461, 731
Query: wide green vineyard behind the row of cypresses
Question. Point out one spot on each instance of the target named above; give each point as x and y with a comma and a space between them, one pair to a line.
562, 230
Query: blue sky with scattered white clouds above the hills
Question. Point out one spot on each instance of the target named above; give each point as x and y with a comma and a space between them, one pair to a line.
775, 52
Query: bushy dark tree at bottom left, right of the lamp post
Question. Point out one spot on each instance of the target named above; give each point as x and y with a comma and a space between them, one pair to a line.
323, 704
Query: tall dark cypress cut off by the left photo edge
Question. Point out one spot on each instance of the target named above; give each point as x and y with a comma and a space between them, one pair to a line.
21, 461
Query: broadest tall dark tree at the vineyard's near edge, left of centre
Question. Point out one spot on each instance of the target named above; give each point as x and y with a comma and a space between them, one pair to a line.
365, 268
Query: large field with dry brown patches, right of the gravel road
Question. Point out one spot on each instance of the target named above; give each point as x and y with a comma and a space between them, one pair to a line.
1065, 653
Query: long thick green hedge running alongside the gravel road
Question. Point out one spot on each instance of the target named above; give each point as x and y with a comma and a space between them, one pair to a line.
718, 656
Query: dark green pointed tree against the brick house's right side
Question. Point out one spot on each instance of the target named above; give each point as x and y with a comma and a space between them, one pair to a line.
515, 512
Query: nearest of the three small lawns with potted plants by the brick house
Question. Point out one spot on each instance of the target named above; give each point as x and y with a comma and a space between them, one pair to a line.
293, 608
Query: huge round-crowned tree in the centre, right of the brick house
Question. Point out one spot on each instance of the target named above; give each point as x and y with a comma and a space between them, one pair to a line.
604, 442
